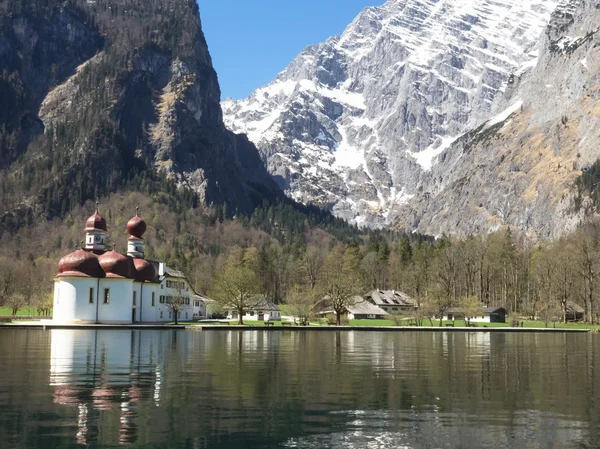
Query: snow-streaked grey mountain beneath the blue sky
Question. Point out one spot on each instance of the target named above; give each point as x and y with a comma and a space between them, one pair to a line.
358, 123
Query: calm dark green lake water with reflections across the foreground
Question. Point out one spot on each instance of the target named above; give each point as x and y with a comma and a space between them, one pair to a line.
258, 389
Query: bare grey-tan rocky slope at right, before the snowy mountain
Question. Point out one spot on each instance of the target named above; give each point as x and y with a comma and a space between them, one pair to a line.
520, 167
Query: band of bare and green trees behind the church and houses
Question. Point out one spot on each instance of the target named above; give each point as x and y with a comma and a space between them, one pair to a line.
290, 255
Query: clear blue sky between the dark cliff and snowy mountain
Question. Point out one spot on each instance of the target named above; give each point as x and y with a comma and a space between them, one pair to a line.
251, 41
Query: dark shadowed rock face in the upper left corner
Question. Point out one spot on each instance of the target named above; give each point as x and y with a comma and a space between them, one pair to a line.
37, 51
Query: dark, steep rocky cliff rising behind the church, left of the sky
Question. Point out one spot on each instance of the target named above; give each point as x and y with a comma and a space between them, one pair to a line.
116, 92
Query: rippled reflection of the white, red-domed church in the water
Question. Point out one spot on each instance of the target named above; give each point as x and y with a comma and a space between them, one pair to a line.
106, 372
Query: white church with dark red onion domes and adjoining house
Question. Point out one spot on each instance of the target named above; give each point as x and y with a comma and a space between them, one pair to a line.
105, 287
